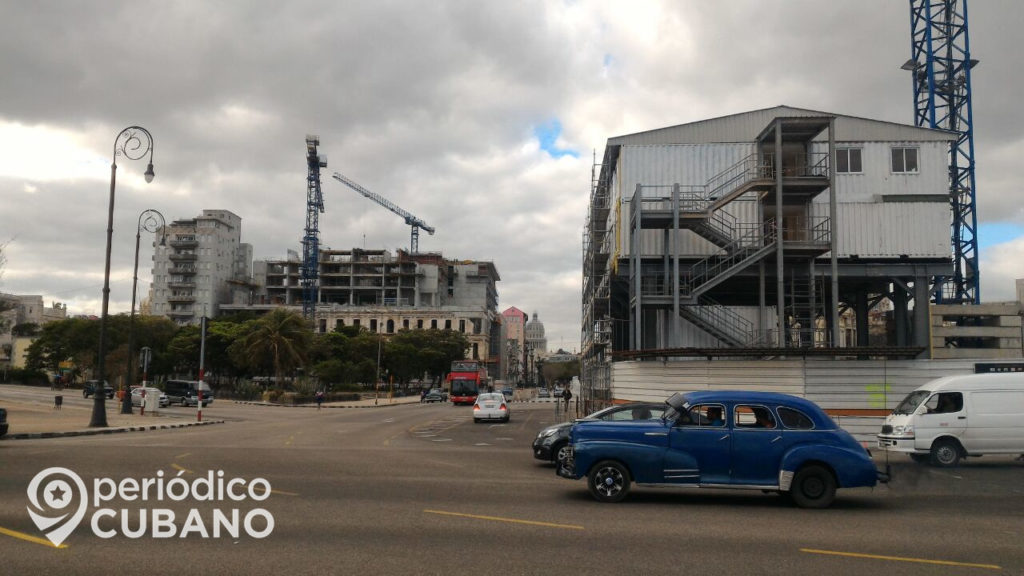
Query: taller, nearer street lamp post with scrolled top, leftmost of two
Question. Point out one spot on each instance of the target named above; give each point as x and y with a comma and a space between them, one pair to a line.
132, 145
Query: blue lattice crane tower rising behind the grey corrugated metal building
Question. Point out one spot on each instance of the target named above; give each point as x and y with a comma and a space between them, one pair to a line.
942, 65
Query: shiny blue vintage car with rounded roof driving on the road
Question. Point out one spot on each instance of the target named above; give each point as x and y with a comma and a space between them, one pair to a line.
746, 440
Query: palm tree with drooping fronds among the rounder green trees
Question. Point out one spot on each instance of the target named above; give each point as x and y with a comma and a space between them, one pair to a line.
282, 338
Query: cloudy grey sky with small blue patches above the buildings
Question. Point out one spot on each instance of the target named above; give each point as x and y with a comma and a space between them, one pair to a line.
480, 117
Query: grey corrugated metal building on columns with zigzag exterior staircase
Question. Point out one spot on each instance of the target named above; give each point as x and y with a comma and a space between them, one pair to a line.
752, 235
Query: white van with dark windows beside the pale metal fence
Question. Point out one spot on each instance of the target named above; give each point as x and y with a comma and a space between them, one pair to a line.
959, 417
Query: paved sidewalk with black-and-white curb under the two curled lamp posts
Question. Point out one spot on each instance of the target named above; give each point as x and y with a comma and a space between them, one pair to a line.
33, 421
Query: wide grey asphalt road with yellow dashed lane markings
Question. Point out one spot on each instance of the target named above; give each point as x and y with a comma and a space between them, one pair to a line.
420, 489
